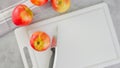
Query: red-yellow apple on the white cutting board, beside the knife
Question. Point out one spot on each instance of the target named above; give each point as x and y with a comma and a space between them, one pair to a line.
40, 41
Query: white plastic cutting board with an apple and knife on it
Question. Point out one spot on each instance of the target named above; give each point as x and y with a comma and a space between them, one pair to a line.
86, 39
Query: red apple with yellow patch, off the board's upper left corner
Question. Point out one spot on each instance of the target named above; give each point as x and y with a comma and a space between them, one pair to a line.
22, 15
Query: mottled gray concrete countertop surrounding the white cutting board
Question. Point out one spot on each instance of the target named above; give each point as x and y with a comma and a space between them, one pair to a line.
9, 52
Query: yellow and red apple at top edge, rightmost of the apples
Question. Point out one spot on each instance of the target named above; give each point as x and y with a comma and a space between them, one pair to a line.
61, 6
